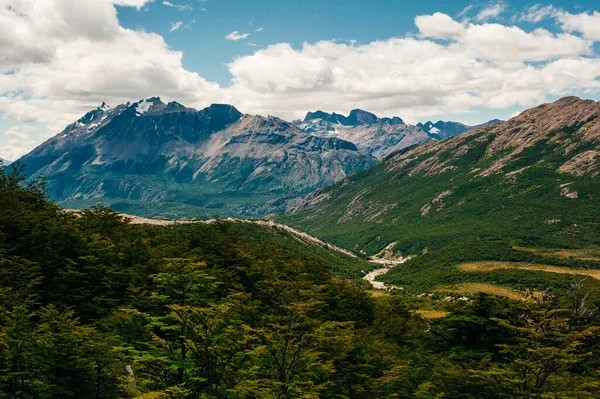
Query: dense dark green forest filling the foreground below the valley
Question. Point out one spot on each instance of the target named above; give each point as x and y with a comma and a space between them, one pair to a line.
92, 306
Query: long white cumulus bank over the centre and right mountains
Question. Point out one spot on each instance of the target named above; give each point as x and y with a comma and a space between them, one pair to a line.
475, 65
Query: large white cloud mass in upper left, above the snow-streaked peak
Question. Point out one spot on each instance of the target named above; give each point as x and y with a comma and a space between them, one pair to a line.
61, 58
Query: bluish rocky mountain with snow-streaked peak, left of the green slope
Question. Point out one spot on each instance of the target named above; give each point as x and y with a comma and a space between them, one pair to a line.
153, 158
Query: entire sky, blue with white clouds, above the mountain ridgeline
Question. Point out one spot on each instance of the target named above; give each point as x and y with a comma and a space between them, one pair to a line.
451, 60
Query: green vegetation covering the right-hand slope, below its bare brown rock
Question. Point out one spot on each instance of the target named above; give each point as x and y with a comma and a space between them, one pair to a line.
371, 209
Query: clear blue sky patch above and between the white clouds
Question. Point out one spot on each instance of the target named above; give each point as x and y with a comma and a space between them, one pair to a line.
297, 21
